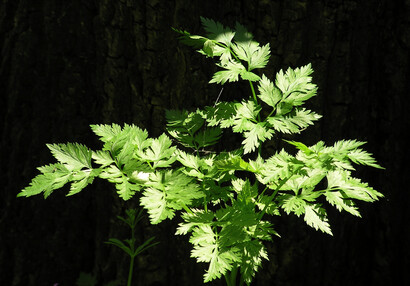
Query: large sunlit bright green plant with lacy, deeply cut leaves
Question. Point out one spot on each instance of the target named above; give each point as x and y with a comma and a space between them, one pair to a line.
224, 199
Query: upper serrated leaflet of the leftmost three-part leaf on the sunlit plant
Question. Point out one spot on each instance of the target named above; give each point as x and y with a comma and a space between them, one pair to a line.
73, 155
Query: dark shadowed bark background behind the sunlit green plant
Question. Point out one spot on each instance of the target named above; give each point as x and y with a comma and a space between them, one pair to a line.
67, 64
